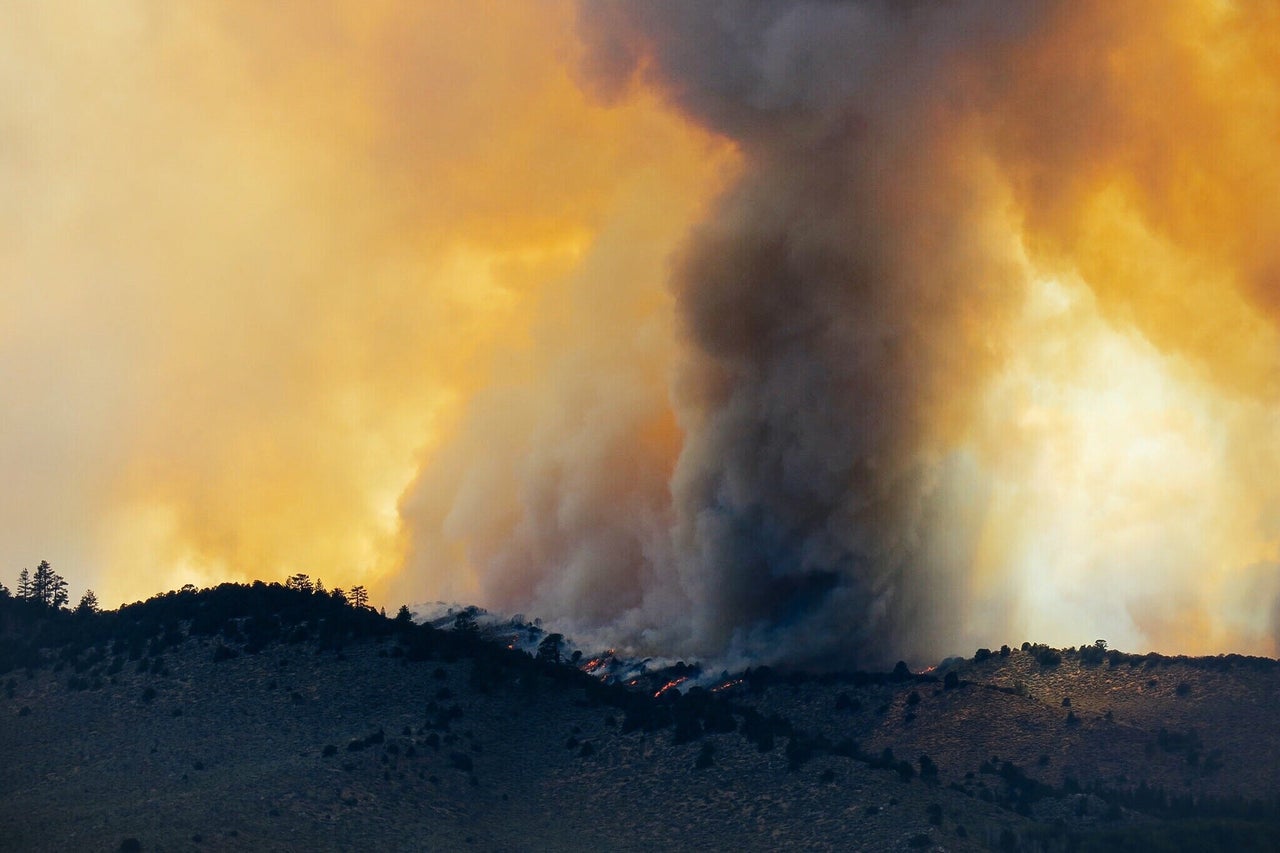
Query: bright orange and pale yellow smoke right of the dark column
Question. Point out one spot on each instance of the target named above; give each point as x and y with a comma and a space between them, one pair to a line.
1135, 428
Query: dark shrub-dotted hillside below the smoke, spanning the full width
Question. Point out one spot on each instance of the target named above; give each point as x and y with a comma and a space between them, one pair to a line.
271, 719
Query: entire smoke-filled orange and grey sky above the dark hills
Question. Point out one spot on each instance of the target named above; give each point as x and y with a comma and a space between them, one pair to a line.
751, 331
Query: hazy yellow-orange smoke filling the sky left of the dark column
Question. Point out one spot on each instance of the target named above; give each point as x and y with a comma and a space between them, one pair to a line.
258, 259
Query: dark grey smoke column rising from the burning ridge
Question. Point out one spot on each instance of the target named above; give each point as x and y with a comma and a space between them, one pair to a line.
839, 309
